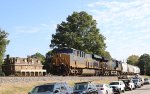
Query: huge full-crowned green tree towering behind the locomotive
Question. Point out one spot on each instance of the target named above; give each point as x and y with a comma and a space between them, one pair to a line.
79, 31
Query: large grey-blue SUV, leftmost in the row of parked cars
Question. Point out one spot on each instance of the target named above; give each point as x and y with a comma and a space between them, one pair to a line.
52, 88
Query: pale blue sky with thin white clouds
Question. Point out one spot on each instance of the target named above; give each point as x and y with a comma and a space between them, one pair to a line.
31, 23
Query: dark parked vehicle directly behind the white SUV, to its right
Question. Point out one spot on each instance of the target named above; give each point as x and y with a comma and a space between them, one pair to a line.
129, 85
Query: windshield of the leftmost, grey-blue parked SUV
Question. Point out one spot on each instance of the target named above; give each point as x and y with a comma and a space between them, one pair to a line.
43, 88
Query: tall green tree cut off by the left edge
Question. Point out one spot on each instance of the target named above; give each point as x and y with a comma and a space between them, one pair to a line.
3, 43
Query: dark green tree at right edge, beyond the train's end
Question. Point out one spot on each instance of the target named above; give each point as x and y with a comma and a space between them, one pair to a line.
144, 64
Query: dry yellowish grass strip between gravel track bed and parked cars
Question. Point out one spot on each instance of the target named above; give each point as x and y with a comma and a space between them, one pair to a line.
25, 87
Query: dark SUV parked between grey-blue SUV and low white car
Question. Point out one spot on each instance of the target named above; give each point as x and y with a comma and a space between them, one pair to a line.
85, 88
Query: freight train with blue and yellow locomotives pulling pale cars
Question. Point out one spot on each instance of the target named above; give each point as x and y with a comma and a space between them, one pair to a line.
75, 62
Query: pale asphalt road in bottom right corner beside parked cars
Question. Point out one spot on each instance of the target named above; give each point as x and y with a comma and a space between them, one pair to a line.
143, 90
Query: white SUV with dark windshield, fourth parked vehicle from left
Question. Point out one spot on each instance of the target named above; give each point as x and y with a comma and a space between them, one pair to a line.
118, 84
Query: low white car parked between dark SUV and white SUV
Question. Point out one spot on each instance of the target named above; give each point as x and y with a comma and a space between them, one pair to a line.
104, 89
